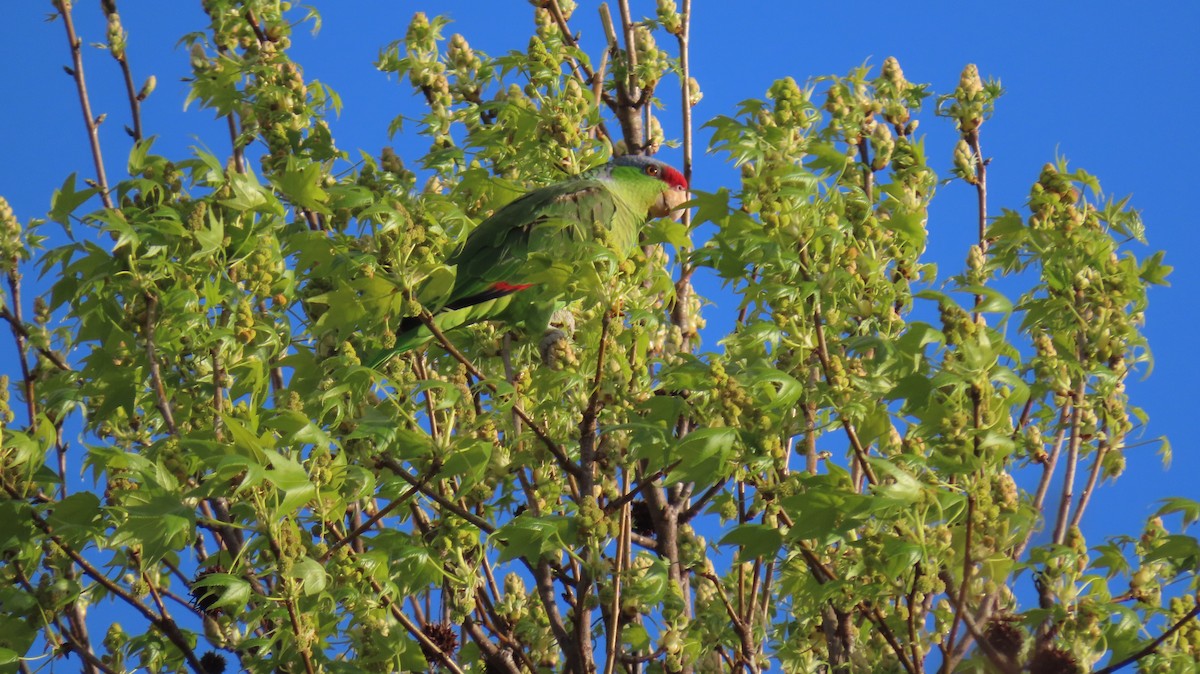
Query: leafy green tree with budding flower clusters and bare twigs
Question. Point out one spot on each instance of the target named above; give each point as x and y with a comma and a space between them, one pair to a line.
512, 500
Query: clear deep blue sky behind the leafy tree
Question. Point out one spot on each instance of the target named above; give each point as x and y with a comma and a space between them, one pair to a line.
1108, 86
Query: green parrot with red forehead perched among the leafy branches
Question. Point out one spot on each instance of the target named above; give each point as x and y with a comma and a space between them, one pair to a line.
515, 249
